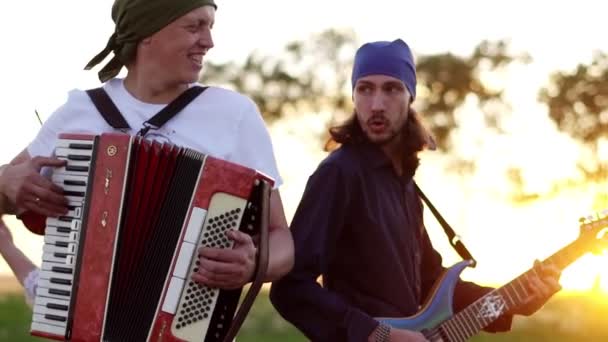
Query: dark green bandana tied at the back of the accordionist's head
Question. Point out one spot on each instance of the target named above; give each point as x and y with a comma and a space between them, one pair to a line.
136, 20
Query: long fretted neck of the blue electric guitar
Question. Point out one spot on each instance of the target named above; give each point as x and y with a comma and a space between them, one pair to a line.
490, 307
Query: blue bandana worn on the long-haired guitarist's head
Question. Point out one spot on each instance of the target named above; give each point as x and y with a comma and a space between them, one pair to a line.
386, 58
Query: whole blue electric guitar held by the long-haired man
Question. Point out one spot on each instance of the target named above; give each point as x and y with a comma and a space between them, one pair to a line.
436, 320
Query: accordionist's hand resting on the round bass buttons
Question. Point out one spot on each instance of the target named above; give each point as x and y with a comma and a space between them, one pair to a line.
227, 268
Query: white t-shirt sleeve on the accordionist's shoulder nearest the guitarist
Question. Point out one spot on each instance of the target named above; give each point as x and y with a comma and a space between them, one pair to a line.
254, 147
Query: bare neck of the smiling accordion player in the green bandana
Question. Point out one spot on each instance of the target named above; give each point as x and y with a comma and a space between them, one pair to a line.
150, 89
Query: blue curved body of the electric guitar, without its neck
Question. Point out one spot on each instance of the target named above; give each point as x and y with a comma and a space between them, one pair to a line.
438, 306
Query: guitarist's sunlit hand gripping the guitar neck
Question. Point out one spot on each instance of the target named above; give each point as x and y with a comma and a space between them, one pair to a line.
542, 283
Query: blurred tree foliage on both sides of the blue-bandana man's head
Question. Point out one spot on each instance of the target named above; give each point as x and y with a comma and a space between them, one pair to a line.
314, 75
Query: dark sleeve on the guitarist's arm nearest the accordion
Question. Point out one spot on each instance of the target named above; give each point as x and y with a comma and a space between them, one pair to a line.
320, 314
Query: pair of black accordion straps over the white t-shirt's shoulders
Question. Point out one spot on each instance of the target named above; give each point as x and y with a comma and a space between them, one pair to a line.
114, 118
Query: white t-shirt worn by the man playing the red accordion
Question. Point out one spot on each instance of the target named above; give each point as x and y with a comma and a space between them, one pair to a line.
219, 122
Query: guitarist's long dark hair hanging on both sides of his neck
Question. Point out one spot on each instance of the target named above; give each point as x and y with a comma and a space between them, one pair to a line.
416, 138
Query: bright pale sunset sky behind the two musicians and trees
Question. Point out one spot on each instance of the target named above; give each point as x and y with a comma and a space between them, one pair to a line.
47, 43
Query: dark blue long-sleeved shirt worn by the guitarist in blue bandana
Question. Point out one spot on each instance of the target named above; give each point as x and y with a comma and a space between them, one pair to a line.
359, 226
